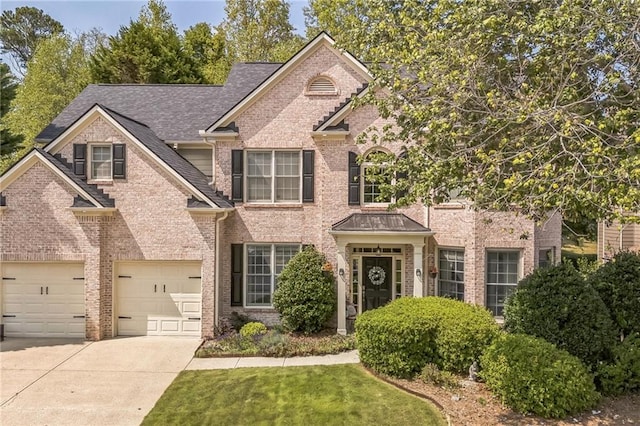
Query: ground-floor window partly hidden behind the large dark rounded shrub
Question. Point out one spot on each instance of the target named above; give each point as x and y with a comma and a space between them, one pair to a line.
502, 278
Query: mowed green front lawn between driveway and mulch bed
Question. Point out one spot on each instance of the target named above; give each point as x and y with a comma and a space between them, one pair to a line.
317, 395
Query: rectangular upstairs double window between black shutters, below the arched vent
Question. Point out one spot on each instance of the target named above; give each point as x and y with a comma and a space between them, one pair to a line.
274, 176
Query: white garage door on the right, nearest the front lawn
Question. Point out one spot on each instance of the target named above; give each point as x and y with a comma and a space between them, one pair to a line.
158, 298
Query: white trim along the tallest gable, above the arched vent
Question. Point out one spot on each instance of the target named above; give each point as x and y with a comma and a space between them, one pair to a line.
321, 40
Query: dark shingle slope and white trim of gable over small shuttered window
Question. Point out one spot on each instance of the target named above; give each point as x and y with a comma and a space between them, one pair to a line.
140, 134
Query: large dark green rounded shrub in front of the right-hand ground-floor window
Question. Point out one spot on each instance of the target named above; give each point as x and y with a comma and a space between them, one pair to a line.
557, 304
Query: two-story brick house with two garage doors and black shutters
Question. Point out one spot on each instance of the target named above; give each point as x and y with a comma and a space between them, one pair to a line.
158, 209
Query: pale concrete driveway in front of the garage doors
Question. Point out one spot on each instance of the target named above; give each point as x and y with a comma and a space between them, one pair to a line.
71, 382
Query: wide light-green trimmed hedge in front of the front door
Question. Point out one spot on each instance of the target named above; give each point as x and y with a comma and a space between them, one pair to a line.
400, 338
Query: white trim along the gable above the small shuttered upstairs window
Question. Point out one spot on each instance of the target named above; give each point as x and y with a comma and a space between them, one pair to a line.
56, 145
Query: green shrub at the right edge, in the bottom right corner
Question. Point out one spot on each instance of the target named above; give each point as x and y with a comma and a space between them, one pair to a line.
622, 376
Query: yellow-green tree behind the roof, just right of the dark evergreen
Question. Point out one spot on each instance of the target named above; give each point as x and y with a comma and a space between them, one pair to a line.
209, 53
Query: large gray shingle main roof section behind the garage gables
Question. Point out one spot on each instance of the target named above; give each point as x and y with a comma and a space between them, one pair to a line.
175, 112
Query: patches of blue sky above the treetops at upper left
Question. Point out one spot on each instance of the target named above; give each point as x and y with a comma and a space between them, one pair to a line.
82, 15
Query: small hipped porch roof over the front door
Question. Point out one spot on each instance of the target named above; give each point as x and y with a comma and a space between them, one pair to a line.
378, 222
